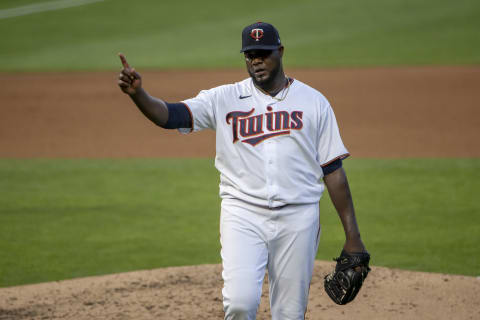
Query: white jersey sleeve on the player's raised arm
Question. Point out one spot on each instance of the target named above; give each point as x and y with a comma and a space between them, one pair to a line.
202, 111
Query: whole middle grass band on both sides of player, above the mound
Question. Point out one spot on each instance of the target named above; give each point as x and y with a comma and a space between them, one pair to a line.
62, 219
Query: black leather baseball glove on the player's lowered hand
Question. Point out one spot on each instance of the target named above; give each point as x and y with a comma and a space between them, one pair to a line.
343, 284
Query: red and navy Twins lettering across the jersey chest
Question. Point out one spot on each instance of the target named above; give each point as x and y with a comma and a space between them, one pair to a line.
254, 129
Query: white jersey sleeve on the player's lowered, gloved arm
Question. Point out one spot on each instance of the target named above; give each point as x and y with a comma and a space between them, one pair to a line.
330, 146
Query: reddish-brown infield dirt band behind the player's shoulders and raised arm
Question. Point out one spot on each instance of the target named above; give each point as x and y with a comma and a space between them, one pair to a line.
396, 112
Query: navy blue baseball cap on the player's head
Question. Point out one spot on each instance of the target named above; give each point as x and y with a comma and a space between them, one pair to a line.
260, 36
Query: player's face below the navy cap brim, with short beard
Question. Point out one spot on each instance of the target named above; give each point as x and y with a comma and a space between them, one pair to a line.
264, 66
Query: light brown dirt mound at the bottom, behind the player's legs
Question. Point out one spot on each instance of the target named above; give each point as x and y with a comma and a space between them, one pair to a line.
195, 293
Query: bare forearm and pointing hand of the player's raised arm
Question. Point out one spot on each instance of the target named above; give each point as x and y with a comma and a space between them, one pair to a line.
130, 82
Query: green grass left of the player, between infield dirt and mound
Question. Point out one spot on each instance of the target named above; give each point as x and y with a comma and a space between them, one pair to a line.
69, 218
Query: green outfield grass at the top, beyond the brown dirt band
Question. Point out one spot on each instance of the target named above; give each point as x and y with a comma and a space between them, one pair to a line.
198, 34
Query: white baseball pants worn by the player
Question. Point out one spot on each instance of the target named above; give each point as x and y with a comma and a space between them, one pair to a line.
282, 240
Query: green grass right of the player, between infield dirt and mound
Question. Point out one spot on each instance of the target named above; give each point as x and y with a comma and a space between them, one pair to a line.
417, 214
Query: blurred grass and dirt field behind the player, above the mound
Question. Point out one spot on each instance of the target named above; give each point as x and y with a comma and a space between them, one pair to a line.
88, 186
